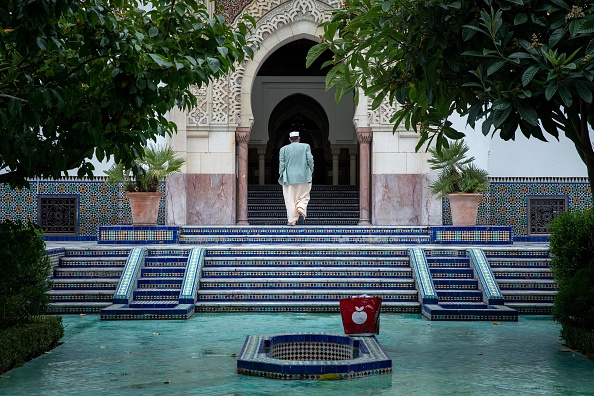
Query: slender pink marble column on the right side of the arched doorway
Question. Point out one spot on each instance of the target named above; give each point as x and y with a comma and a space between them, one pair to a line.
364, 135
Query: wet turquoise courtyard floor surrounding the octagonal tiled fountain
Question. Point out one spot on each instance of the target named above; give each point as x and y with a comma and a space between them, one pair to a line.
198, 357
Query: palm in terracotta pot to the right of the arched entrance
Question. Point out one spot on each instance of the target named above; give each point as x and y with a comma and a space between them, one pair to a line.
459, 180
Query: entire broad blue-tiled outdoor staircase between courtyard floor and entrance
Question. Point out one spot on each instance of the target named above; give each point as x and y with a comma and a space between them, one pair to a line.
303, 269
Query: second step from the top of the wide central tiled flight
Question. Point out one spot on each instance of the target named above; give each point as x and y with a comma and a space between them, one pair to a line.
301, 272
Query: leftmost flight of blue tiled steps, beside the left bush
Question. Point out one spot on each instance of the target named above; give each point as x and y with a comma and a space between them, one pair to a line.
85, 280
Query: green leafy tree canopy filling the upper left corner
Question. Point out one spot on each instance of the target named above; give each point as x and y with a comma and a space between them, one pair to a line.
83, 78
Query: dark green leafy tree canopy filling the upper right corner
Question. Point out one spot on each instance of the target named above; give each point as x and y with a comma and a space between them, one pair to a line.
520, 66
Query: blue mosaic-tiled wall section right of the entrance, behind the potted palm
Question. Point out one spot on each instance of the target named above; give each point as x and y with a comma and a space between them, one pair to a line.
506, 202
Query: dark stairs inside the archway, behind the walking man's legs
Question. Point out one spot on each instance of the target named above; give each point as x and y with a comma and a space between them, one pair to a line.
329, 205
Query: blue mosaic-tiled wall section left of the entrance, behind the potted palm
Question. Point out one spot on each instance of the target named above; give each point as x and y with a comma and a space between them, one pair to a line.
100, 204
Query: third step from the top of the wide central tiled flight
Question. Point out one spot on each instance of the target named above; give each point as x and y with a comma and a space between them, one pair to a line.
293, 284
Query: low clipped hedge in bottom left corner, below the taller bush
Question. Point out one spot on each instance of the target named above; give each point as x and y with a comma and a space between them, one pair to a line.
25, 341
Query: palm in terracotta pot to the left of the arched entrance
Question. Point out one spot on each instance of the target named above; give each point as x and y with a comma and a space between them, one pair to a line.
142, 181
